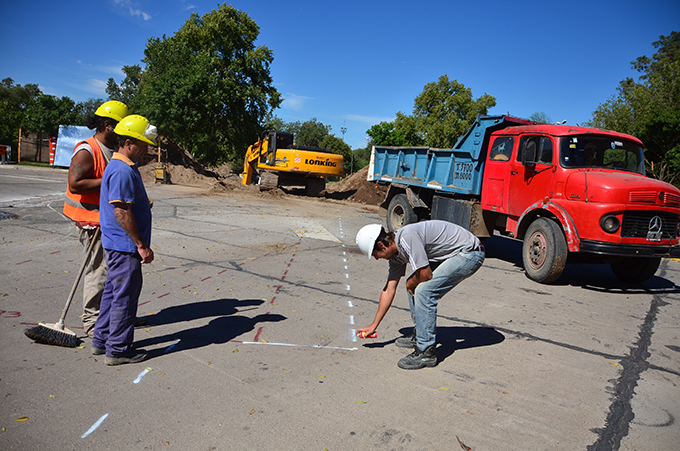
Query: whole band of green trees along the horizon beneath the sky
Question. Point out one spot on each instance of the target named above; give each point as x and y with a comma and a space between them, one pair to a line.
209, 90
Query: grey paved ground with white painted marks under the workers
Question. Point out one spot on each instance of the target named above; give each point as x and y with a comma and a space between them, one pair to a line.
251, 304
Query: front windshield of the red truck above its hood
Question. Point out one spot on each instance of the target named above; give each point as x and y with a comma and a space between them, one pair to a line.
587, 151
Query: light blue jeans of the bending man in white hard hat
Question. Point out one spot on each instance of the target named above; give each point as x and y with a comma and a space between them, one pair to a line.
427, 294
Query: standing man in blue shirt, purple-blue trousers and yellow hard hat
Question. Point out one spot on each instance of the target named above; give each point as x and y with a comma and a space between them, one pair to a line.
125, 217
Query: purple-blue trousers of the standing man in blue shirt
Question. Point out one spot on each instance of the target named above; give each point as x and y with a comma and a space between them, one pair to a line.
115, 326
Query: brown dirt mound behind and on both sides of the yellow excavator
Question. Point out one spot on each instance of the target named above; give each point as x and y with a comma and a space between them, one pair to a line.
182, 169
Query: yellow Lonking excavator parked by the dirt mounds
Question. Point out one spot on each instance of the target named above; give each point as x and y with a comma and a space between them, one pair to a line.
281, 163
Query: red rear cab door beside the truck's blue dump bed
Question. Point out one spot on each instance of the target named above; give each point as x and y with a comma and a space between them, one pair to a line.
497, 174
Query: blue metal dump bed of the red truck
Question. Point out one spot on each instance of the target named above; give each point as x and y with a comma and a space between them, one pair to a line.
457, 170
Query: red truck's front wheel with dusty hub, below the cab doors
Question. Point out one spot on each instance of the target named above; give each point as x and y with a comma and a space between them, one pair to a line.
545, 251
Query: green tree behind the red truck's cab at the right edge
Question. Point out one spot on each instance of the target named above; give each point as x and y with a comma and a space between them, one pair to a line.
648, 108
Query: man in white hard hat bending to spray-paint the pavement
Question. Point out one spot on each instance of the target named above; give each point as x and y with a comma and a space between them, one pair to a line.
442, 255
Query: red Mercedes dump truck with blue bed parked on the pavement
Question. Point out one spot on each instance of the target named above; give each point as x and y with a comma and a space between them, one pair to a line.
568, 192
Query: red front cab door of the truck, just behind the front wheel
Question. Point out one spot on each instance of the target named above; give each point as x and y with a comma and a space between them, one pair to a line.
531, 181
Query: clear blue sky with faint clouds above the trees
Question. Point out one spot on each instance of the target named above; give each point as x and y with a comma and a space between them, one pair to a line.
356, 63
